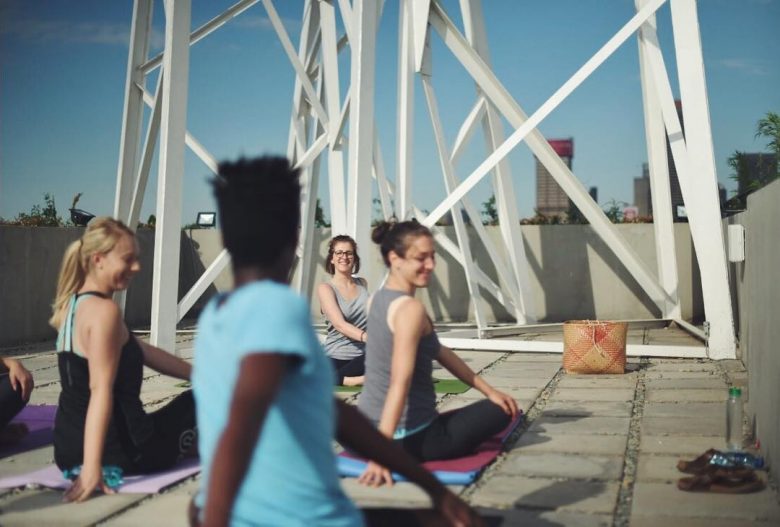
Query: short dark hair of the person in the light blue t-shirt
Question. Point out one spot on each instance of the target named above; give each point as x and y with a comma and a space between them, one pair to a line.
259, 208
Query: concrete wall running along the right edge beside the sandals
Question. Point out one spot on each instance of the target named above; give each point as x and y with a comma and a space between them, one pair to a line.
756, 295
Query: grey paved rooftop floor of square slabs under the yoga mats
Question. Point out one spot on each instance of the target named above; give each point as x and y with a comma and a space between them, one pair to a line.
593, 451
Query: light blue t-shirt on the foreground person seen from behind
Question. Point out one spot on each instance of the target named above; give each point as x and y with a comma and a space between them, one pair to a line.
292, 478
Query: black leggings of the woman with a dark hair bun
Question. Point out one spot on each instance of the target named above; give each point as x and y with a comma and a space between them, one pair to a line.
457, 433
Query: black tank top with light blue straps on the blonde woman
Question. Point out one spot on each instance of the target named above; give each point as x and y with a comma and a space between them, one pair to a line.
129, 425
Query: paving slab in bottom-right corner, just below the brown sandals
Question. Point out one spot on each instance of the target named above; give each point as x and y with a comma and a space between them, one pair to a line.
650, 498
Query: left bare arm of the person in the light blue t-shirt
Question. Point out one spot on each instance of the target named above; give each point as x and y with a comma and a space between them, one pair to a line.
260, 377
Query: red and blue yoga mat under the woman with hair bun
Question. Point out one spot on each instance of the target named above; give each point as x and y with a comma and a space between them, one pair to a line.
459, 471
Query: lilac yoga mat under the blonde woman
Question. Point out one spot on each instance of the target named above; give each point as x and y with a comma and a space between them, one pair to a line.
51, 477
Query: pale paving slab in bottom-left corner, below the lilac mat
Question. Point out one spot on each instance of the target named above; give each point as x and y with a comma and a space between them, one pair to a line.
45, 507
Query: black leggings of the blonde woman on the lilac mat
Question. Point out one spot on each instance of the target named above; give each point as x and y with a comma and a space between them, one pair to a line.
175, 435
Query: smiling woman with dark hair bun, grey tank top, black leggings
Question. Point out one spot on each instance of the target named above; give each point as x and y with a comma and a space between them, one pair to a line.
398, 395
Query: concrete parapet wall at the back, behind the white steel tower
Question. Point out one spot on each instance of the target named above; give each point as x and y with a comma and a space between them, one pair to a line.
573, 275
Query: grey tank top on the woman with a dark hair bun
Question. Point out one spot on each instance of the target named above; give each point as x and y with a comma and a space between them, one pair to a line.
420, 406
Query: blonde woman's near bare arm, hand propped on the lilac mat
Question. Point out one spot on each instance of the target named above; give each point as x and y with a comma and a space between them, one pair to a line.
102, 349
